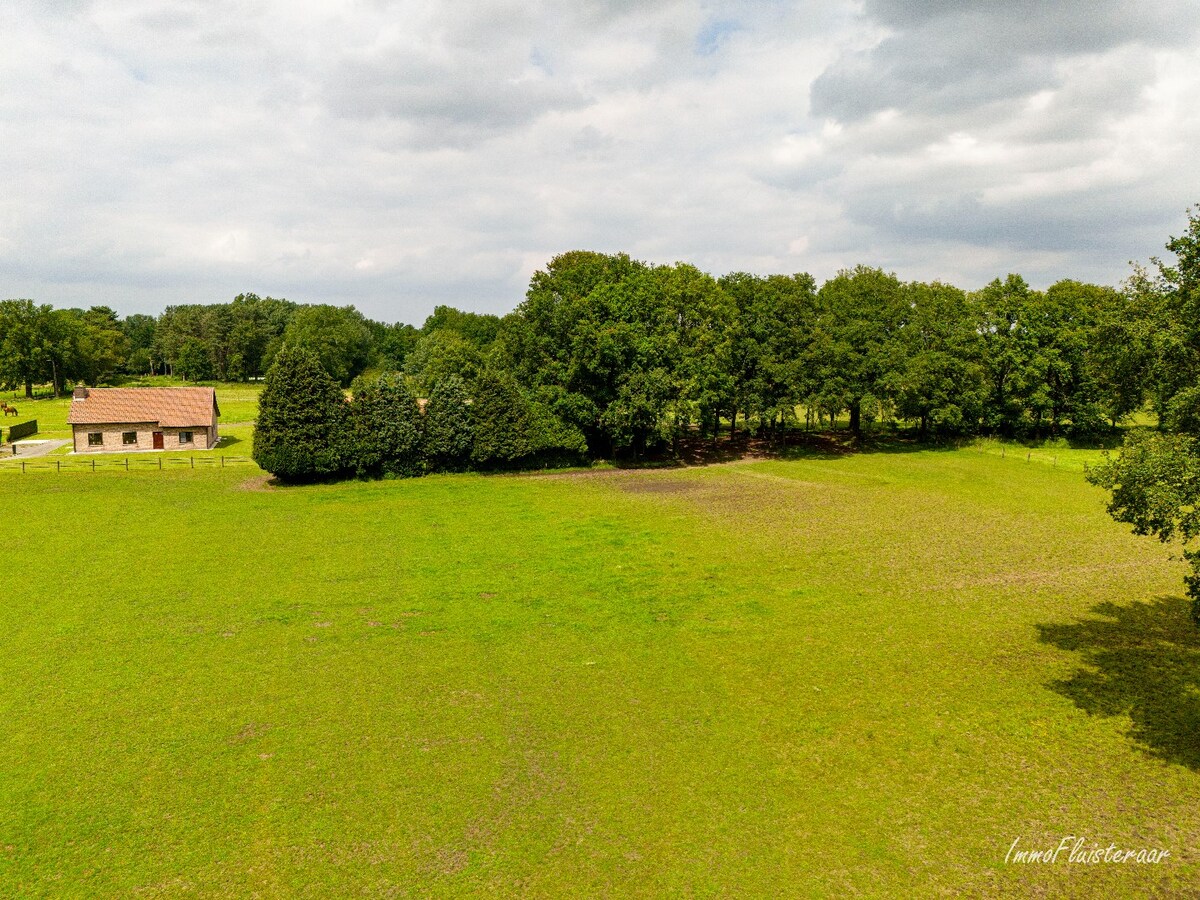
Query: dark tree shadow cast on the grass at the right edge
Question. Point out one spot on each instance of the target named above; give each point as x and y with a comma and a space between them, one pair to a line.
1142, 661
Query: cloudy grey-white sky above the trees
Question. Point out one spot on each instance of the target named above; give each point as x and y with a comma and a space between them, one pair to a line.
400, 155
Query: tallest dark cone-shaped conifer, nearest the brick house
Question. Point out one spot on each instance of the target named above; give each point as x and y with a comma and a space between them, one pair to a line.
302, 429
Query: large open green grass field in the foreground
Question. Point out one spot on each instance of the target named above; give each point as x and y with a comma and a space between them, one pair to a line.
817, 677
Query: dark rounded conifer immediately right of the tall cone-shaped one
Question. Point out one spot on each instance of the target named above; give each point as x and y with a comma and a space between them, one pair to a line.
386, 429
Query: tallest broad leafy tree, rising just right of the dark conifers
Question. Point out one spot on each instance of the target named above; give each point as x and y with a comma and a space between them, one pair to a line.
627, 353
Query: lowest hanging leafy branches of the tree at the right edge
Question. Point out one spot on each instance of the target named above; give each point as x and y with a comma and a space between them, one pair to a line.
1155, 487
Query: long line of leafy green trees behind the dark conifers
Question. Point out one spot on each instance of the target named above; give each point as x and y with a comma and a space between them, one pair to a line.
633, 356
